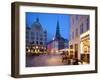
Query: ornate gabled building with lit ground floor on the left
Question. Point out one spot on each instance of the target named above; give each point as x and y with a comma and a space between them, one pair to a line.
36, 38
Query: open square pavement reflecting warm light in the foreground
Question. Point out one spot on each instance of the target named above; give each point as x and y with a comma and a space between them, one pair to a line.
44, 60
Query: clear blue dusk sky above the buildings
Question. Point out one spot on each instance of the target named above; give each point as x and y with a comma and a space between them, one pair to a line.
49, 23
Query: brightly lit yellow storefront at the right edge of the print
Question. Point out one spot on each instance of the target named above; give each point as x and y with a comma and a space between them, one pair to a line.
85, 47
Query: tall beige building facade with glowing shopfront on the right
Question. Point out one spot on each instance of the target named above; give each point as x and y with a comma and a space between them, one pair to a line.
79, 37
